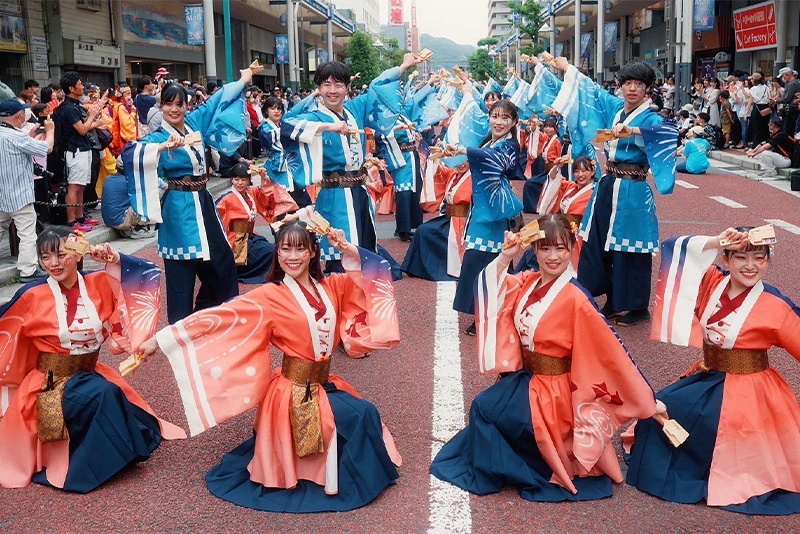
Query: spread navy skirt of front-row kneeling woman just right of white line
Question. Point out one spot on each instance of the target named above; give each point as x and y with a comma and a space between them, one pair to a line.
498, 449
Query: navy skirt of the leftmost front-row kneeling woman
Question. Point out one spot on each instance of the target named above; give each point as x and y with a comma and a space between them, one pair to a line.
106, 433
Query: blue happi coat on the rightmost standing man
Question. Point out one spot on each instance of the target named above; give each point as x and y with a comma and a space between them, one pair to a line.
587, 107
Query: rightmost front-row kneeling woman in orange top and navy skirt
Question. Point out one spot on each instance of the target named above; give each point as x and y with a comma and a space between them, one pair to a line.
743, 420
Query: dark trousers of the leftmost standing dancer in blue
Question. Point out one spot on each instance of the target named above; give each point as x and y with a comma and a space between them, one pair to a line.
218, 277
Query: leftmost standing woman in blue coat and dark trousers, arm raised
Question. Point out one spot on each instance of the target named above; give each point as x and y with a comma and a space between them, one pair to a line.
190, 238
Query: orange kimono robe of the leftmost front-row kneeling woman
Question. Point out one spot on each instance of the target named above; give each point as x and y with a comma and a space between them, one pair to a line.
35, 321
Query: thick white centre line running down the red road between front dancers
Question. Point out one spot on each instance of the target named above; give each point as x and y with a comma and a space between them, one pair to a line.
449, 505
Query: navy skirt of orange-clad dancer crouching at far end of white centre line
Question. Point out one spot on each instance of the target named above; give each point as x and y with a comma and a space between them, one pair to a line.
427, 254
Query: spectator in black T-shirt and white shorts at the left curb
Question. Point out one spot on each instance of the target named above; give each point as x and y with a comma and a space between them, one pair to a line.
81, 160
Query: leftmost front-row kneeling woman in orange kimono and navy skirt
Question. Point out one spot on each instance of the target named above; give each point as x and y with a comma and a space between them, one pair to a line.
88, 423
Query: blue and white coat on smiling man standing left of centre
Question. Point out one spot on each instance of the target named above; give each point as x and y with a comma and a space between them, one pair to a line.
377, 109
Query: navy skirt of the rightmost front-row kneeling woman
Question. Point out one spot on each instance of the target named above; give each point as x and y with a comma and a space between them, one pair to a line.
681, 474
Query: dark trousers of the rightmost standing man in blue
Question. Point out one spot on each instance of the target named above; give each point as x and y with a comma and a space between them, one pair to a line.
624, 277
